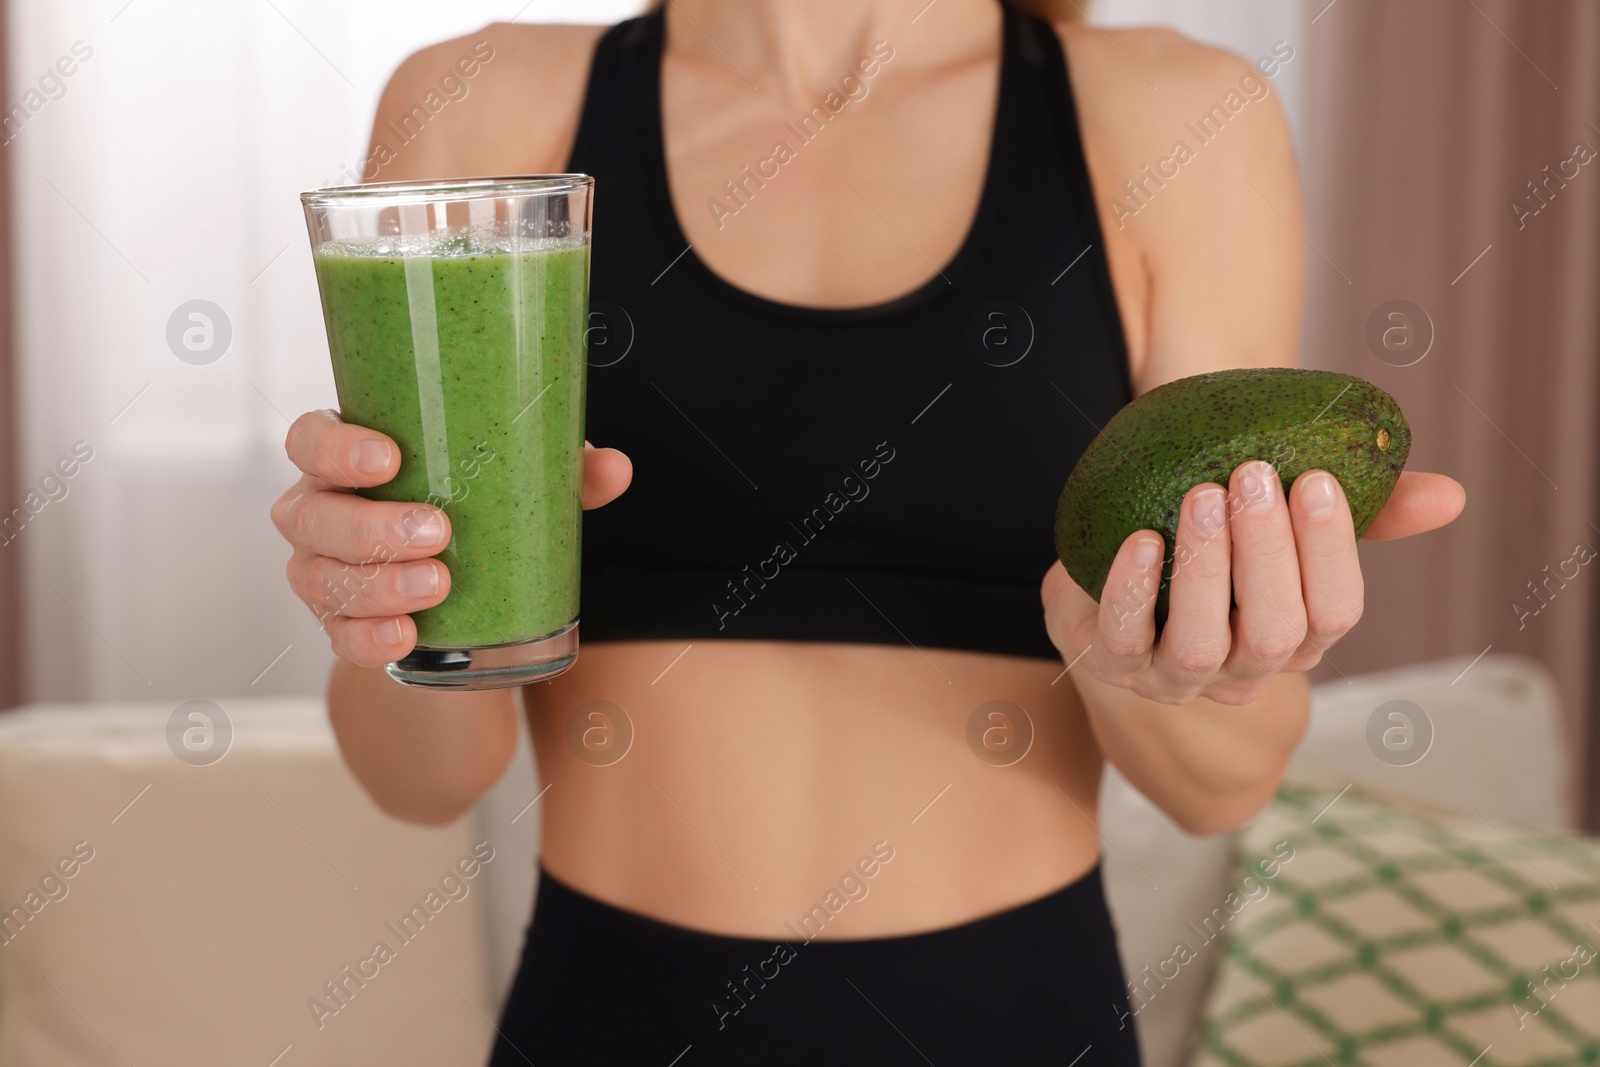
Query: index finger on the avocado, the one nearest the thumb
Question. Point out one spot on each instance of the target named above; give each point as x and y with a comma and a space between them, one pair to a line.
1330, 569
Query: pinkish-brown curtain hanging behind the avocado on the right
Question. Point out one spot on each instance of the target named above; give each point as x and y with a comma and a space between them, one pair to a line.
1426, 124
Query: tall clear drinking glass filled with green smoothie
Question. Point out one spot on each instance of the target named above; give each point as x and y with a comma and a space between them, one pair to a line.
457, 316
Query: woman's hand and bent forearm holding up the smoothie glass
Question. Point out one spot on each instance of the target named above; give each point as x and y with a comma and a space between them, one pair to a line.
362, 567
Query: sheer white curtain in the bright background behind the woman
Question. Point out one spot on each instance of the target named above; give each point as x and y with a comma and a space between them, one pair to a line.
166, 170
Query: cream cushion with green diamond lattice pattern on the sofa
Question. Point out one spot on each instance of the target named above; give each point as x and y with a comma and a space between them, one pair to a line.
1372, 933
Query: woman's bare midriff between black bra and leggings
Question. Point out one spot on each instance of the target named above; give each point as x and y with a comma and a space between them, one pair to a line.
764, 777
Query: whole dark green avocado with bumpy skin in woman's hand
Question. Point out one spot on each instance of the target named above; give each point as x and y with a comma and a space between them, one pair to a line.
1199, 430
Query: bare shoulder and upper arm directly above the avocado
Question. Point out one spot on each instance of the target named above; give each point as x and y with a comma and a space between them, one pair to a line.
1198, 193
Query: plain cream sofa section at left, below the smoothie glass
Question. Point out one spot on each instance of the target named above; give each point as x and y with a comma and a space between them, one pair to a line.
210, 906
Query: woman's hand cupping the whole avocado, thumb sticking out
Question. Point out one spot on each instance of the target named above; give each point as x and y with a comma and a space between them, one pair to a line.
1290, 567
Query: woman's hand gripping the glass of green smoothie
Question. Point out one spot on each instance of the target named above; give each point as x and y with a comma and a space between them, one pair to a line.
361, 565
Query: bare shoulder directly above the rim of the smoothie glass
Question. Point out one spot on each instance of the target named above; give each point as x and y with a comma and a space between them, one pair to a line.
503, 100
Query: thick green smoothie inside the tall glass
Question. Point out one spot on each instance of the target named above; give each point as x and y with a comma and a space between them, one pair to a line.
473, 358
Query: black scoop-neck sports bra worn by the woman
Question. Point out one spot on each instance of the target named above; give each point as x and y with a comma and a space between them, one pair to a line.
878, 474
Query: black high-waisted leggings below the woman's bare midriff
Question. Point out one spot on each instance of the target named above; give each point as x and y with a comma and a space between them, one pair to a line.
1038, 985
